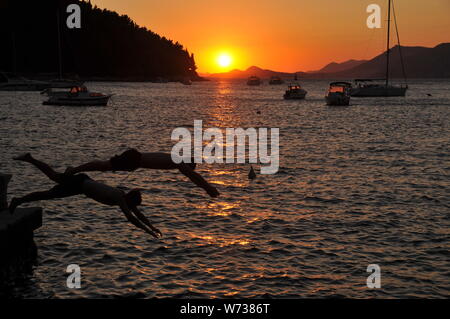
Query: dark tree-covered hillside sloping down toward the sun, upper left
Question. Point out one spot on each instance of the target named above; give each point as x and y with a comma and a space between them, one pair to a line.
107, 45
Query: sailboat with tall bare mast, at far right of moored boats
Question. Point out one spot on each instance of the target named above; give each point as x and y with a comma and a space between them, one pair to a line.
373, 87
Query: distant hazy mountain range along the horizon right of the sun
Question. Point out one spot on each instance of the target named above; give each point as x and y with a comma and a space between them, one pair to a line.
419, 62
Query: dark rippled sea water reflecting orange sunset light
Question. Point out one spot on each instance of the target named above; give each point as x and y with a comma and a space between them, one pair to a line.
358, 185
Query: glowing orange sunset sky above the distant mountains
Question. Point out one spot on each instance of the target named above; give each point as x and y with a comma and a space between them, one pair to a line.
284, 35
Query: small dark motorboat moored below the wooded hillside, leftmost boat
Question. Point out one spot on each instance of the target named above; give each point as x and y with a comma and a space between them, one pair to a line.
77, 96
